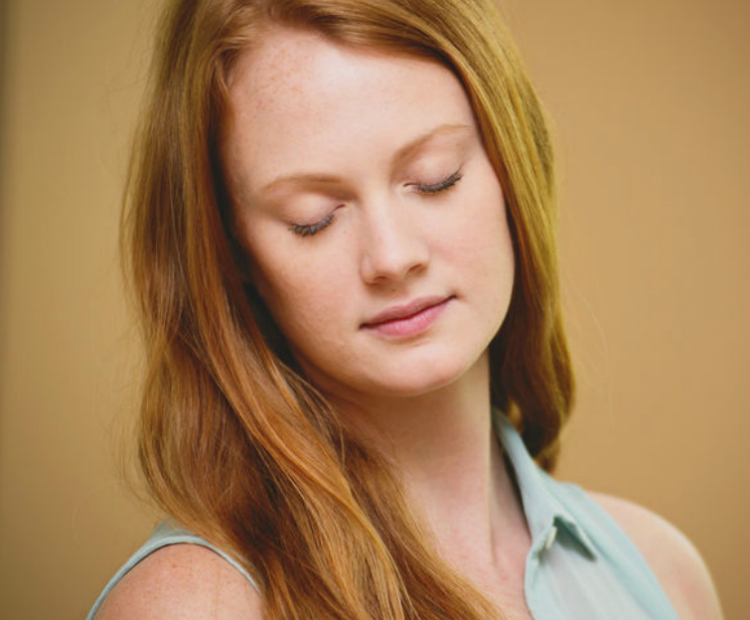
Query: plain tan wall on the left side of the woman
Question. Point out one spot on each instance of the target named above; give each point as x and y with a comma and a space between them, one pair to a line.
72, 82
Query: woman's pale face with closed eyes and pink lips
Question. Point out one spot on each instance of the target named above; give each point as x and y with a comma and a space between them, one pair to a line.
372, 218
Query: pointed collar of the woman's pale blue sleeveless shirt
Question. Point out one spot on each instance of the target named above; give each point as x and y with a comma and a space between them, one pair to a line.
545, 514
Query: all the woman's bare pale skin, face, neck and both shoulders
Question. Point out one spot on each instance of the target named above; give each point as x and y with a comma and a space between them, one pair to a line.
379, 221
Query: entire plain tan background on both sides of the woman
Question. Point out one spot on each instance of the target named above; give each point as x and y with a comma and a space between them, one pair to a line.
650, 100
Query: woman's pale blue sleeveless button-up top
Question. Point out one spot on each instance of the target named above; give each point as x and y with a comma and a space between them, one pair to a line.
581, 565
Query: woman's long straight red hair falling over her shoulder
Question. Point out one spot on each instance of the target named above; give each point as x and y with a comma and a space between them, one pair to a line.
233, 442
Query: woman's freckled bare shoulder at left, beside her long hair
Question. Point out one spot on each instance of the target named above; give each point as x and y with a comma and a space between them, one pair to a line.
182, 581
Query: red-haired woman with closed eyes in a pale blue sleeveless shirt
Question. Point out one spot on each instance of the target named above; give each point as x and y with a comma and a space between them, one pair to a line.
341, 240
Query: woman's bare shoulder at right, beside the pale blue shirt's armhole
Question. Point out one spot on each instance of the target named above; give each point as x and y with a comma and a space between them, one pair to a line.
673, 558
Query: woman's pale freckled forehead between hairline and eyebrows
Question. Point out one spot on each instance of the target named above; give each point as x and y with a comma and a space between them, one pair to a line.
296, 96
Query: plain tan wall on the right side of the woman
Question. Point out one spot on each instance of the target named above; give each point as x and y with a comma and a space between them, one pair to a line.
650, 104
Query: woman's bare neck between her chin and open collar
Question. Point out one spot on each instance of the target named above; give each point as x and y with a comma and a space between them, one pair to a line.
443, 448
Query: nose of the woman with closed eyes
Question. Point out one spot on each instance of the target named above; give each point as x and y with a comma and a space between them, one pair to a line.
394, 245
